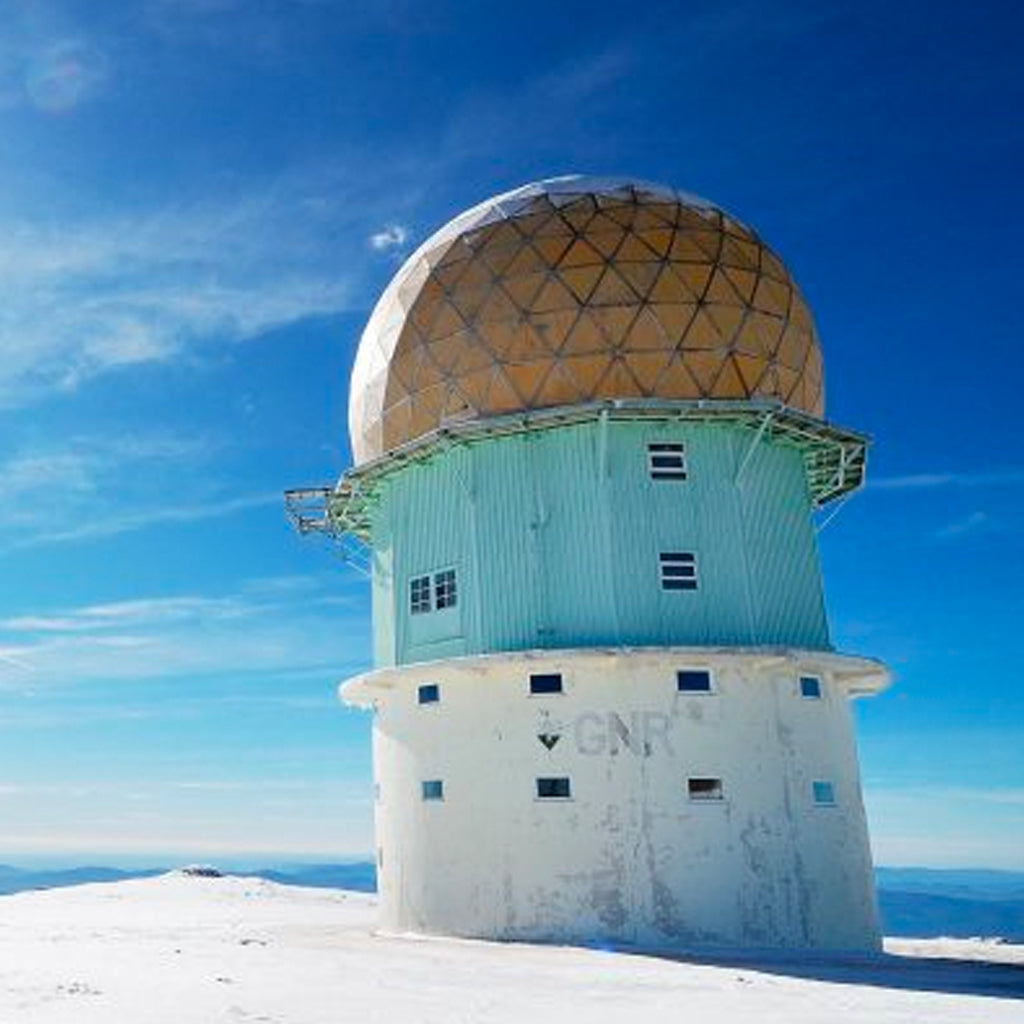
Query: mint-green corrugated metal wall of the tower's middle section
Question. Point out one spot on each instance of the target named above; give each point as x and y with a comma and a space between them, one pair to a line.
556, 536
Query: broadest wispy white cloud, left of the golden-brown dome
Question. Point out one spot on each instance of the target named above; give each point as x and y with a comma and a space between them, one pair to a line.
92, 296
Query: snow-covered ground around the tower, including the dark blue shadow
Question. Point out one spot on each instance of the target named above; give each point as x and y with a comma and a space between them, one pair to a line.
180, 950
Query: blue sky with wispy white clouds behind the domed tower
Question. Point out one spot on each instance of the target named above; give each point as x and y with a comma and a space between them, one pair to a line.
200, 201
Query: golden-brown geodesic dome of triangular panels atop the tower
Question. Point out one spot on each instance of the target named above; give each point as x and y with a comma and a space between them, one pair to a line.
575, 291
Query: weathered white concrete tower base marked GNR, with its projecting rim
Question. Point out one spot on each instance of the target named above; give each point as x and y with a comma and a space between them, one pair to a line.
630, 858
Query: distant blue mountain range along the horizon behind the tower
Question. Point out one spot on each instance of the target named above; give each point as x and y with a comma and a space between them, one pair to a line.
915, 902
